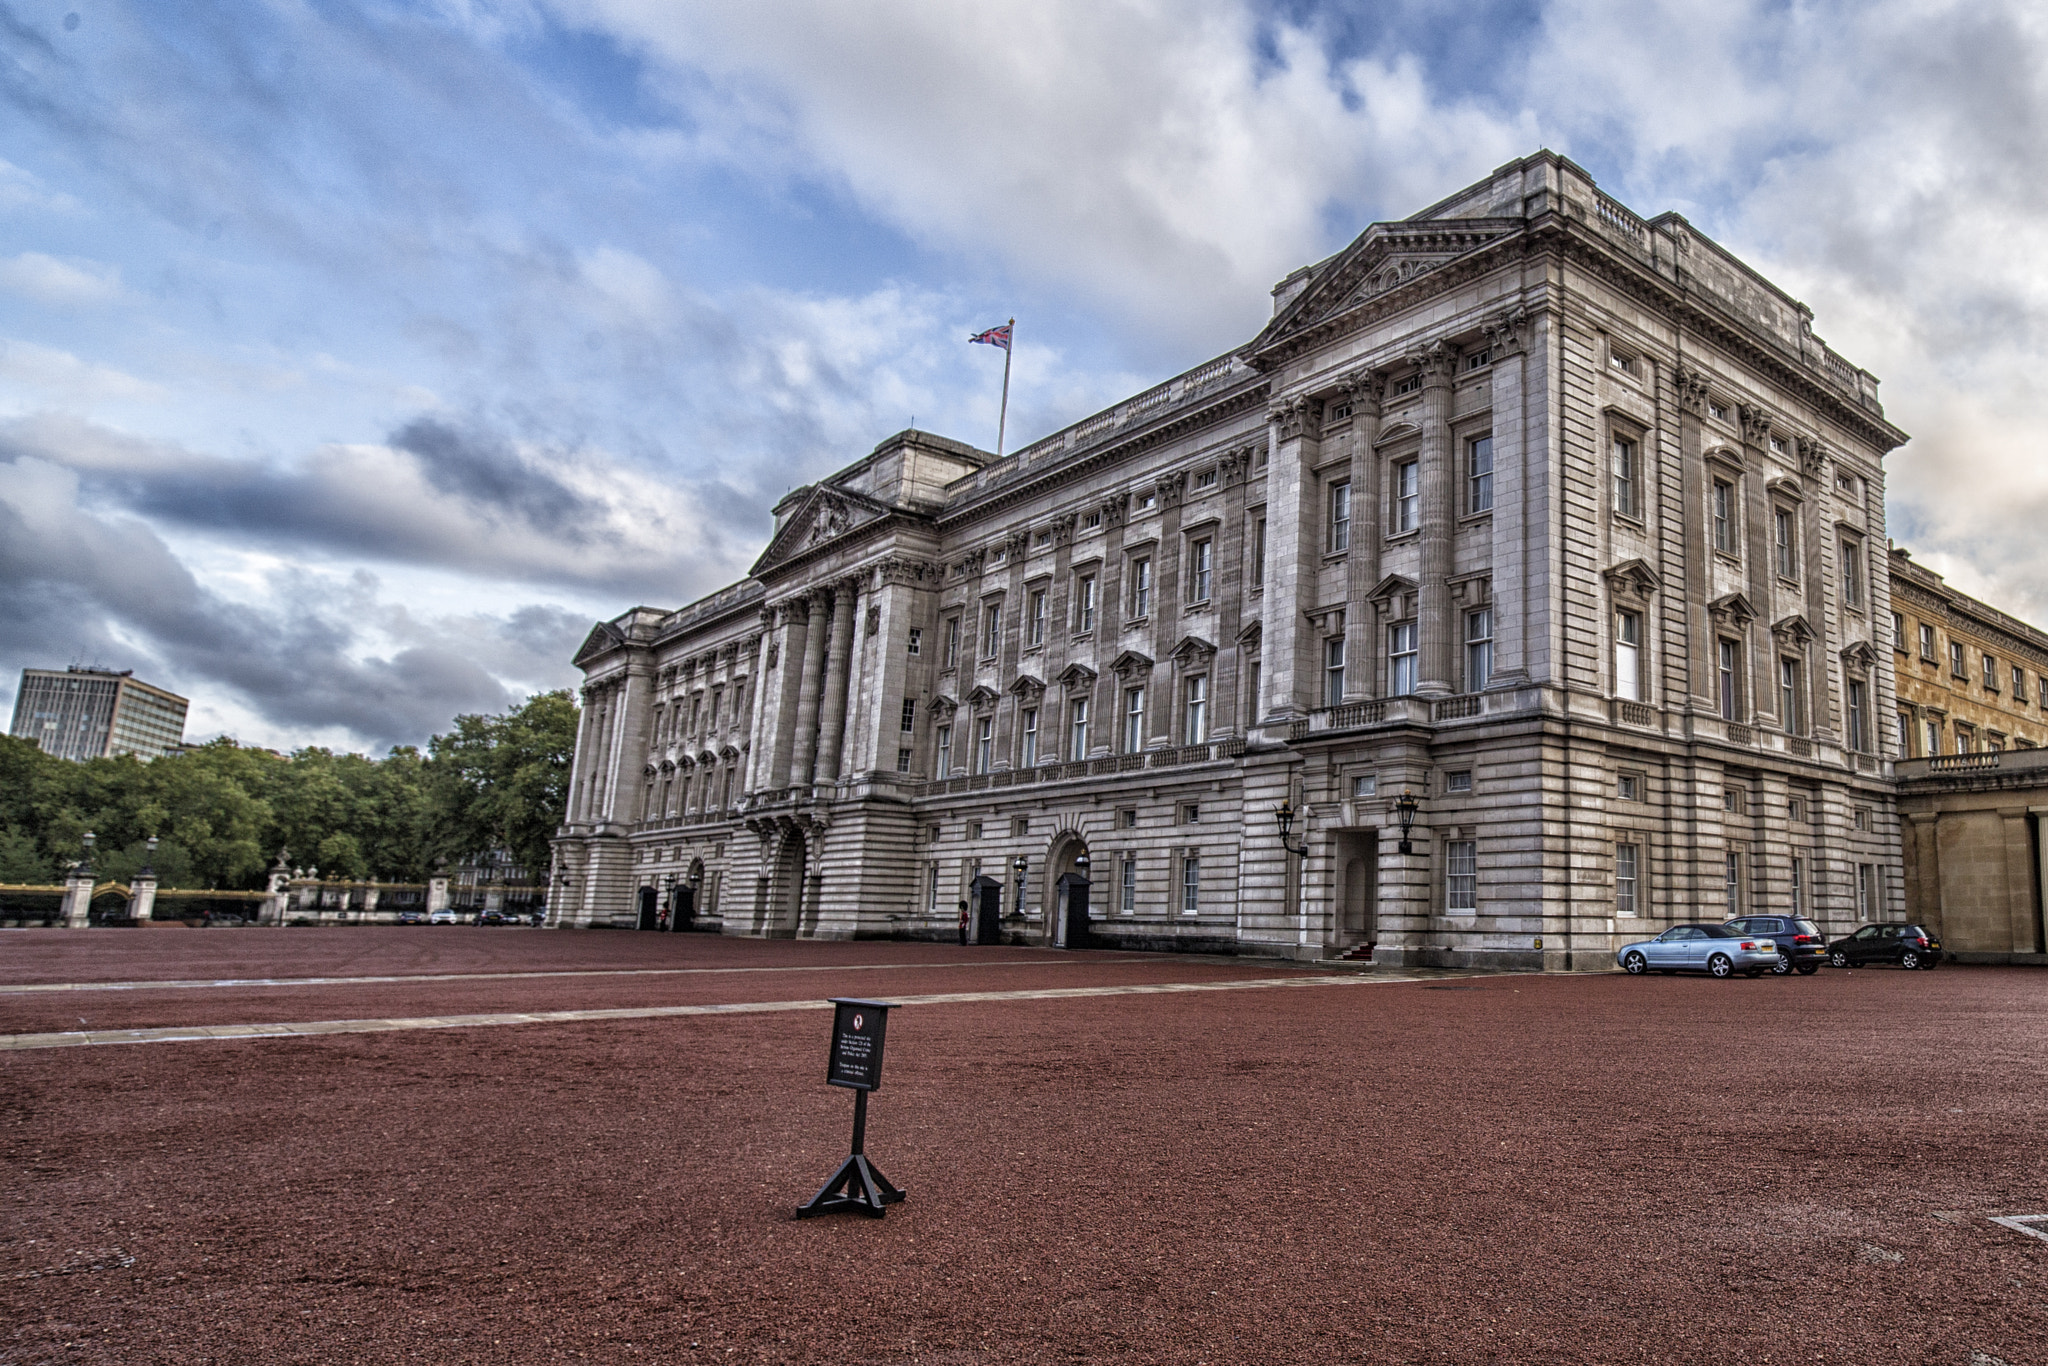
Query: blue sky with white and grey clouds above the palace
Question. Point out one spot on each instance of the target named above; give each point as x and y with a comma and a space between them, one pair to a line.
355, 357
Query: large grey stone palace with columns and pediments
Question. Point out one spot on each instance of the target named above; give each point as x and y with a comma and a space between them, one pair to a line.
1529, 562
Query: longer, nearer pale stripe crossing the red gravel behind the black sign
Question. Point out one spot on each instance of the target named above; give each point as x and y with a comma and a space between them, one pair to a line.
194, 1033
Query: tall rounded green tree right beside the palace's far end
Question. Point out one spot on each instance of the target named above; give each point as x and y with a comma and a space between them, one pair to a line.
505, 781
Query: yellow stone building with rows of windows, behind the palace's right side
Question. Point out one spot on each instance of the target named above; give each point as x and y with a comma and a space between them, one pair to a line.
1971, 679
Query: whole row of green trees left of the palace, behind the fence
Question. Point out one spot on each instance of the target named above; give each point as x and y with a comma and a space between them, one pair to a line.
224, 812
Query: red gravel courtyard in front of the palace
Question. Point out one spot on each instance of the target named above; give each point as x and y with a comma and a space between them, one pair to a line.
1353, 1170
